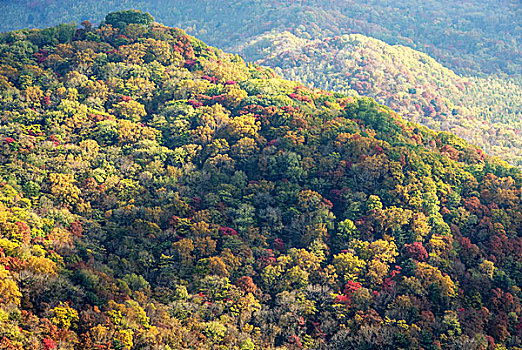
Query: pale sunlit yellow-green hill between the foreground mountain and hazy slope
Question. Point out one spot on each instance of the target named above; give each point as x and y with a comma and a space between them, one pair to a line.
484, 111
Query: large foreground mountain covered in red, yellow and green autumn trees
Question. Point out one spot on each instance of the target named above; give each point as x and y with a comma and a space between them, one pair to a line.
158, 193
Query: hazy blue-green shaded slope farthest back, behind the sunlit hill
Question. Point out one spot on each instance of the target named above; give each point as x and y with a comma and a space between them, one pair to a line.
469, 36
